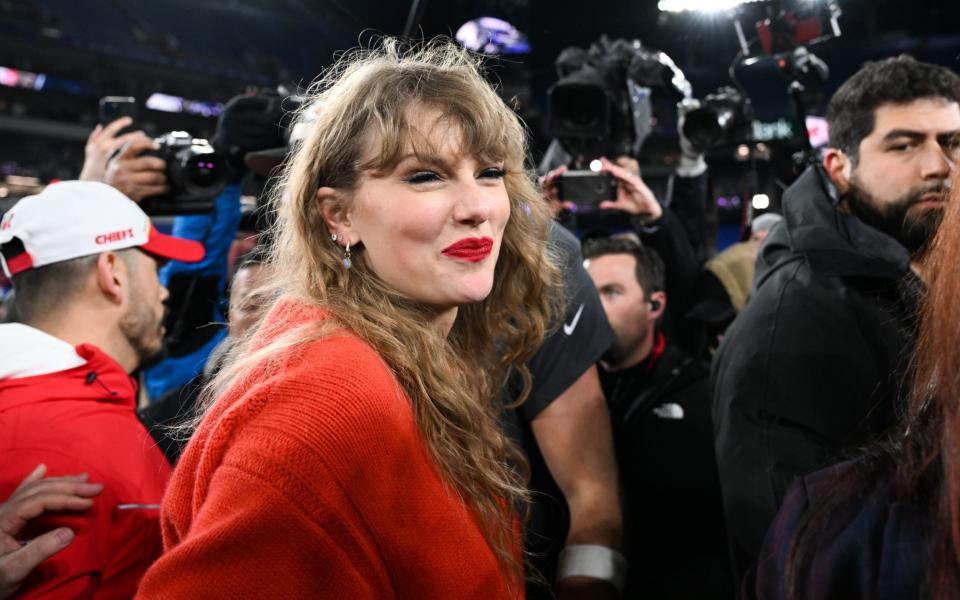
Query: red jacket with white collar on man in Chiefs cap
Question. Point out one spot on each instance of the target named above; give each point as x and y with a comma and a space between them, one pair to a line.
76, 420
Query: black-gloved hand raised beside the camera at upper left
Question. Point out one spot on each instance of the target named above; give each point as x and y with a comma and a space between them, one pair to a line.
248, 124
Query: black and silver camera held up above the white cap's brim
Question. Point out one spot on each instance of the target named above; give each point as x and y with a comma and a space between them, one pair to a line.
195, 173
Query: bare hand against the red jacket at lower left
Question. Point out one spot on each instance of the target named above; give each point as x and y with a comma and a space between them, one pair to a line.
34, 496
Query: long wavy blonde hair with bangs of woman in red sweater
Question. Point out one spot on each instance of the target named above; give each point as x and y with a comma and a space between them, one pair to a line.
455, 383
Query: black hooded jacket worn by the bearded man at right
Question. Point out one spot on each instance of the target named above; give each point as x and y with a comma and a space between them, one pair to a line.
813, 366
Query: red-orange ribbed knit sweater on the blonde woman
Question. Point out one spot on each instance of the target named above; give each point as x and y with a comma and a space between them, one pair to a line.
311, 480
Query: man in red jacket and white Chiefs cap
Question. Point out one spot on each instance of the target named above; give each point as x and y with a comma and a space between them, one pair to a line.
83, 260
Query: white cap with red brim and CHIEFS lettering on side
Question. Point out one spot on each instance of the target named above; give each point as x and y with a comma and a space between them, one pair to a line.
71, 219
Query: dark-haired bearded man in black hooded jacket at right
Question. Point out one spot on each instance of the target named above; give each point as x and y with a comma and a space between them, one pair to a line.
815, 364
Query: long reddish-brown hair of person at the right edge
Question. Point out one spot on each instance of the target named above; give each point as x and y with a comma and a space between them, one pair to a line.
919, 461
